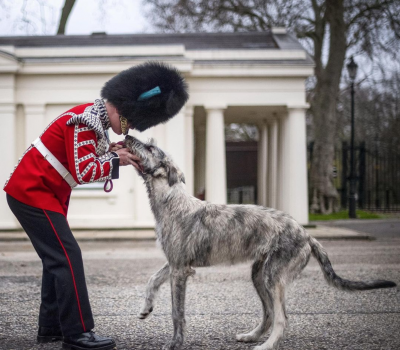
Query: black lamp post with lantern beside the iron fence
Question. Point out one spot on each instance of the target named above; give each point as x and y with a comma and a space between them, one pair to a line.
352, 69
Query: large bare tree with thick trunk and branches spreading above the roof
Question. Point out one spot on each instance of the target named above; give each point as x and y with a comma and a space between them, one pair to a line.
329, 29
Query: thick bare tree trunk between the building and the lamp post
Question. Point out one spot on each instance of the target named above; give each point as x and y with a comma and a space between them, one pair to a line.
323, 107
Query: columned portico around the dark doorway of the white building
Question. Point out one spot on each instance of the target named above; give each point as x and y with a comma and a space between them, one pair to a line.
281, 163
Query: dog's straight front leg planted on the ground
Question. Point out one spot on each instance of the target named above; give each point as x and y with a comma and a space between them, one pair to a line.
178, 290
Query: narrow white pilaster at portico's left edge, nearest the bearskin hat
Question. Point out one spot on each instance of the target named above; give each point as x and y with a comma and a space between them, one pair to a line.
189, 146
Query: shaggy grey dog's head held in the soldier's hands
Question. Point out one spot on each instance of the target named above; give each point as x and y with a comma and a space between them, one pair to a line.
156, 165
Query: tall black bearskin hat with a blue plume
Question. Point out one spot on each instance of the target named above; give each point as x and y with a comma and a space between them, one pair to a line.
147, 94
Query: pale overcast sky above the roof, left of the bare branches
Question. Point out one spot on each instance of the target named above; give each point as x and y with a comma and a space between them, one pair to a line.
41, 17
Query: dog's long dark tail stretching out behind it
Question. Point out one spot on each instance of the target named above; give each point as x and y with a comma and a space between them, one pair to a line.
333, 279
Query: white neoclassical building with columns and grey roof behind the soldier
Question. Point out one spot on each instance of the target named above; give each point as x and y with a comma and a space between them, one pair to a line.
254, 78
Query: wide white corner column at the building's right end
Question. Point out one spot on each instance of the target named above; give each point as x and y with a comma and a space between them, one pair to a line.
295, 185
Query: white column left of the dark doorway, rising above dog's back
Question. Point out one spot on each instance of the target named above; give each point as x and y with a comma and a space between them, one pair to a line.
215, 157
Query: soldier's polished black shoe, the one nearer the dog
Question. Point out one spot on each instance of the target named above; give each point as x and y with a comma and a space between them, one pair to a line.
88, 340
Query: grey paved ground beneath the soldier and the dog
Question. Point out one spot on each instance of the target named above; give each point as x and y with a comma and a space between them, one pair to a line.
220, 302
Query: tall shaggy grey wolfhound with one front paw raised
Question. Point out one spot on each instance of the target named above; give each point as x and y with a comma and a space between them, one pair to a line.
196, 233
